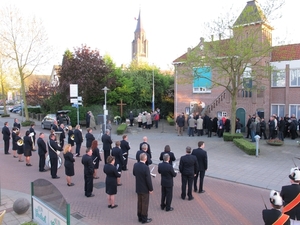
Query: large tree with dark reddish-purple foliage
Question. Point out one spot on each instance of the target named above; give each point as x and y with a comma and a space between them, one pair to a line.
87, 68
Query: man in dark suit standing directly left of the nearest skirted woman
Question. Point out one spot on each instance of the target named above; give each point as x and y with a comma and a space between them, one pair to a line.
87, 161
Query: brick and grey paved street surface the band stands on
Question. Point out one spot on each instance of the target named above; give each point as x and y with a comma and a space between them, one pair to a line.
234, 183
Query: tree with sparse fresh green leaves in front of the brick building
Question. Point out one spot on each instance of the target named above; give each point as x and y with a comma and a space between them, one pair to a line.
239, 59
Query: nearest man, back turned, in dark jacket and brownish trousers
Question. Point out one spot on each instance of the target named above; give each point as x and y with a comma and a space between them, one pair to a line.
143, 187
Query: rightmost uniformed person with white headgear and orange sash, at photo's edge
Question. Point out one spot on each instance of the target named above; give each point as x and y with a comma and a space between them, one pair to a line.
290, 195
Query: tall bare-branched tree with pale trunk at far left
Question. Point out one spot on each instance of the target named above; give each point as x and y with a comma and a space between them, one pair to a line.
24, 42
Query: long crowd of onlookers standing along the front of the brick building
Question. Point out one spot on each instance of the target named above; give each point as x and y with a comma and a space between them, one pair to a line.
275, 127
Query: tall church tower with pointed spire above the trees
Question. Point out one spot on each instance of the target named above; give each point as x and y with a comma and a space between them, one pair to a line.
140, 43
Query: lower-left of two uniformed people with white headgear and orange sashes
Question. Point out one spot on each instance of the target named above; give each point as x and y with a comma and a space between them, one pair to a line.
274, 216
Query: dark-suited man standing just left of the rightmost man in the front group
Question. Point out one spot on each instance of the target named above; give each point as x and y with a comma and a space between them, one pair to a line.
188, 168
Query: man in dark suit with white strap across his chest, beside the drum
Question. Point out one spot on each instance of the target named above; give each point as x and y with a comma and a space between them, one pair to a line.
54, 150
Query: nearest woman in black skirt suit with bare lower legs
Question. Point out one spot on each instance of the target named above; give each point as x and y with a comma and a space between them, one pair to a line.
111, 181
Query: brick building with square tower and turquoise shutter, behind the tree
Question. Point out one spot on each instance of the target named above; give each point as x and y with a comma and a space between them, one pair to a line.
278, 93
